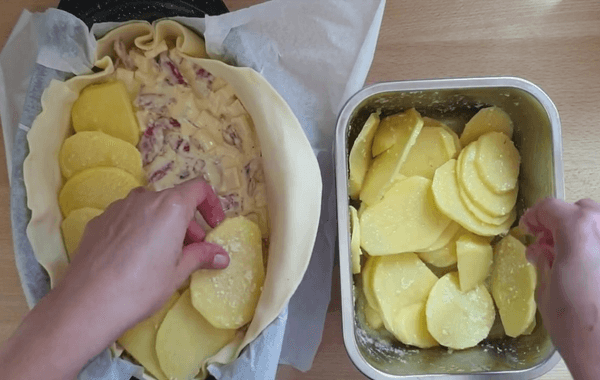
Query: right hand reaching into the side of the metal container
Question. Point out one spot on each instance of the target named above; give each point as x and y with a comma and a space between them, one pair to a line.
567, 256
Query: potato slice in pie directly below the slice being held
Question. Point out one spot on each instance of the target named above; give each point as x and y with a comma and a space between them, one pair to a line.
185, 340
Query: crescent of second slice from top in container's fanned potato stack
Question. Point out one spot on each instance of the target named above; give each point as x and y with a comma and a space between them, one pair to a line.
496, 205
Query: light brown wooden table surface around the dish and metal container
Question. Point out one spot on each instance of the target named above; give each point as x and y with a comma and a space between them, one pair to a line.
555, 44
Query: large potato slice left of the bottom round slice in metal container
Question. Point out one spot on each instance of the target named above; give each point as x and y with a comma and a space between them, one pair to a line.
399, 281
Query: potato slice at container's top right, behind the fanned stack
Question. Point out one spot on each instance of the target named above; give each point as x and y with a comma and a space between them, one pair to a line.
491, 119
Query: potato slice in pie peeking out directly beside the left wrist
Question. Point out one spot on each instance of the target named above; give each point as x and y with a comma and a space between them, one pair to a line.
140, 340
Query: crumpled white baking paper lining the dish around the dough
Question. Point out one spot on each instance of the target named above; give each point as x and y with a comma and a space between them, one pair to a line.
315, 53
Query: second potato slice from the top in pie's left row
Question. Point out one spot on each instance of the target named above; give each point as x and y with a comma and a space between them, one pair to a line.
85, 150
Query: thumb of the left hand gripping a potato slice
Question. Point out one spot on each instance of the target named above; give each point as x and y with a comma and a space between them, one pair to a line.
201, 255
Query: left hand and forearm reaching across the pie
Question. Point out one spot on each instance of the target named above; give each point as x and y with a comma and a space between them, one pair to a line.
130, 260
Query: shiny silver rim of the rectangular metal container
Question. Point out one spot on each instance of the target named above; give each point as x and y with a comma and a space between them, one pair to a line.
341, 180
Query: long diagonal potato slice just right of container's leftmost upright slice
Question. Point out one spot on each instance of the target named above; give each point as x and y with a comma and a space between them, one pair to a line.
386, 167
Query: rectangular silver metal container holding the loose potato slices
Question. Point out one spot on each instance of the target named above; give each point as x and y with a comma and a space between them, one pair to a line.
537, 135
